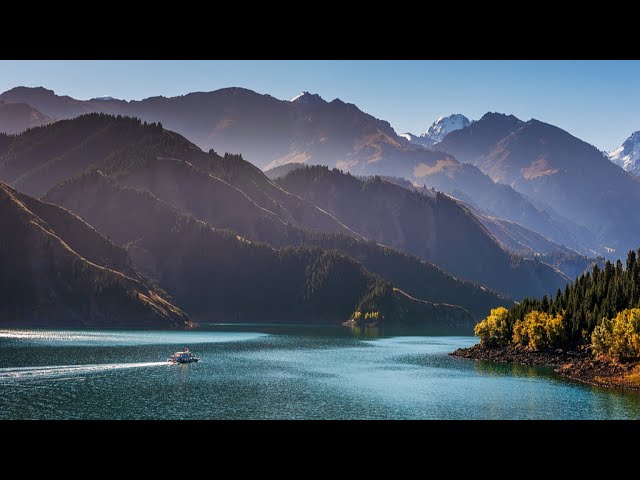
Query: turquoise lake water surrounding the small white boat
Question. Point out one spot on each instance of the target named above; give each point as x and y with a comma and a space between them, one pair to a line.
278, 373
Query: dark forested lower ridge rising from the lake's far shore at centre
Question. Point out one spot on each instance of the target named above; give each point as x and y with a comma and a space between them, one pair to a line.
219, 276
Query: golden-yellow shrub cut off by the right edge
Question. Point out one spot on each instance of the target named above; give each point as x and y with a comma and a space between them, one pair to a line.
618, 338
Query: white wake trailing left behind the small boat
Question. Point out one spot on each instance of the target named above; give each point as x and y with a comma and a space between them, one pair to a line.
53, 371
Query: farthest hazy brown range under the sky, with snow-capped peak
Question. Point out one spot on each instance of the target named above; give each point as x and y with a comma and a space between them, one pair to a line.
271, 132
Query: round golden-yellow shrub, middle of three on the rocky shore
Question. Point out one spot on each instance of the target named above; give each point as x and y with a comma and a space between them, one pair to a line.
539, 330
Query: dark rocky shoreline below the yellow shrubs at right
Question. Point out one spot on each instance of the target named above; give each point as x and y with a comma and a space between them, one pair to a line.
577, 365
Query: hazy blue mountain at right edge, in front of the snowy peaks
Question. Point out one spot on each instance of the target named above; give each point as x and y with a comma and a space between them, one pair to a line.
556, 169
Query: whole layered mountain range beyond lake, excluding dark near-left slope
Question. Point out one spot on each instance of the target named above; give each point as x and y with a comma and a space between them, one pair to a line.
436, 232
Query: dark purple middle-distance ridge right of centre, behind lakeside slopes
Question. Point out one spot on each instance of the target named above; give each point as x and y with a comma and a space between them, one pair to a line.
433, 227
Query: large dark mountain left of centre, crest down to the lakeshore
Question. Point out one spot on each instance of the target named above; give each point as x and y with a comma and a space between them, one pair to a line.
164, 200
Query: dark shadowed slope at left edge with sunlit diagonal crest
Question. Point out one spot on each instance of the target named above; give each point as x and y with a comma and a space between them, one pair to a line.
57, 271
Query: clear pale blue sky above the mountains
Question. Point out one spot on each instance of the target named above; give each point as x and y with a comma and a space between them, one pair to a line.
598, 101
